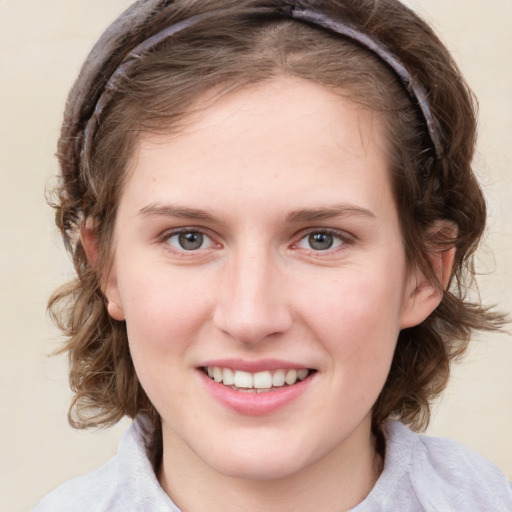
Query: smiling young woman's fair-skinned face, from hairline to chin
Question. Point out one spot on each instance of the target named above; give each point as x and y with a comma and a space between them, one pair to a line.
259, 266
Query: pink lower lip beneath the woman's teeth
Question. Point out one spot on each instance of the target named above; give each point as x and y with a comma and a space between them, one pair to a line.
255, 404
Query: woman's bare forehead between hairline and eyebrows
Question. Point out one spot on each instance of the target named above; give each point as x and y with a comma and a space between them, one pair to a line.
270, 142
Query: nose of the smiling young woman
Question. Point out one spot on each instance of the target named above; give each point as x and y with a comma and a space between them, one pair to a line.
252, 302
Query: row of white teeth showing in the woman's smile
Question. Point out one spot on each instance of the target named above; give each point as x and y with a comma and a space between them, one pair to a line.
256, 382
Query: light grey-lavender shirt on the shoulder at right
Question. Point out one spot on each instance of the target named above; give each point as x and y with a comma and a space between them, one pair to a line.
440, 474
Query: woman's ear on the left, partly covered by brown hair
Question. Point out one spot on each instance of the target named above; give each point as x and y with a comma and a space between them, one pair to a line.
109, 286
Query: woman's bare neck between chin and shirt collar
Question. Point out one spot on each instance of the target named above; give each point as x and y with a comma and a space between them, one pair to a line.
339, 481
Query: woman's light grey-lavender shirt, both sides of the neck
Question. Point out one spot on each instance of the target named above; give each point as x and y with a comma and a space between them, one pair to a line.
421, 474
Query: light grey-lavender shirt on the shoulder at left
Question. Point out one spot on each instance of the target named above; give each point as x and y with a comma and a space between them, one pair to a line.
126, 482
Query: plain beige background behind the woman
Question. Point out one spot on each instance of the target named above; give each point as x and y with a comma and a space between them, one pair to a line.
42, 44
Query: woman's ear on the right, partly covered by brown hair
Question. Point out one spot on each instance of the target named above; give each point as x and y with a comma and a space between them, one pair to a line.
422, 296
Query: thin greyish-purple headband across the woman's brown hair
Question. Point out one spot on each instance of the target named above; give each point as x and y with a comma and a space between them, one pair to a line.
416, 91
